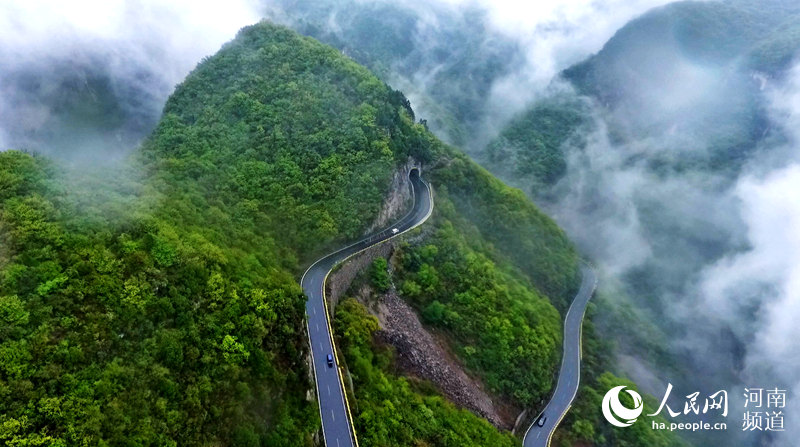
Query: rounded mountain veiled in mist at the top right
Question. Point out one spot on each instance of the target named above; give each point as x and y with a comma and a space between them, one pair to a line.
692, 71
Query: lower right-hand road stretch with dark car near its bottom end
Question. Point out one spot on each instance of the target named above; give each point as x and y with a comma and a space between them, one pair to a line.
570, 374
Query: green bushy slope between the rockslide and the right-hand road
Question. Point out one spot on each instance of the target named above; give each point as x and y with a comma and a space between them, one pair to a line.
501, 326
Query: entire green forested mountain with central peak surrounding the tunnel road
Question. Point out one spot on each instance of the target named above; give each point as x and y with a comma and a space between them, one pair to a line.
167, 311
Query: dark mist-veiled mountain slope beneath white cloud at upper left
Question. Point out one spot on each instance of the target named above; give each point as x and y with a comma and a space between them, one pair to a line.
78, 107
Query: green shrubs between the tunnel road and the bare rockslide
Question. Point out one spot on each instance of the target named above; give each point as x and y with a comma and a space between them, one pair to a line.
395, 411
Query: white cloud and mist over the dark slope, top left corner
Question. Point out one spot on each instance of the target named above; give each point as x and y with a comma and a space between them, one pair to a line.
87, 79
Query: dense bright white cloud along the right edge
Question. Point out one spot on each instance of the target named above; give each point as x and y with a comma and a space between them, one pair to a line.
756, 292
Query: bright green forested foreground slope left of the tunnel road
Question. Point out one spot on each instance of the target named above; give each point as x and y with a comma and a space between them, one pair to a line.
137, 333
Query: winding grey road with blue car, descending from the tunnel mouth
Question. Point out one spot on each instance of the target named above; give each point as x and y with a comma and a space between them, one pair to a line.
337, 428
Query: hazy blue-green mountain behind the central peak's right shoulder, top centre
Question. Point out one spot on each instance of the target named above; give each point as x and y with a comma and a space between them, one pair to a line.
445, 59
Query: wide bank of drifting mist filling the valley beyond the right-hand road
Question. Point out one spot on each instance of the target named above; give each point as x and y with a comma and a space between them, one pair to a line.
719, 248
